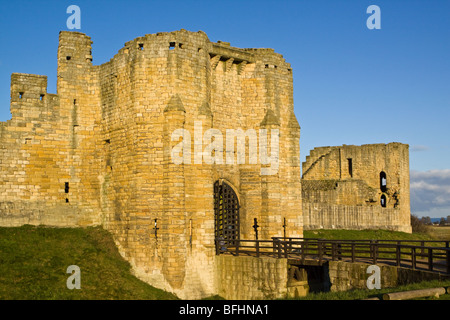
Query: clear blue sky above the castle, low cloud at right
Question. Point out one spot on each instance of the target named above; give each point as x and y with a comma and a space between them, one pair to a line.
352, 85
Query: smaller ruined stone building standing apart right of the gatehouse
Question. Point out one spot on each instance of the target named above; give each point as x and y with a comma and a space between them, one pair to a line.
357, 187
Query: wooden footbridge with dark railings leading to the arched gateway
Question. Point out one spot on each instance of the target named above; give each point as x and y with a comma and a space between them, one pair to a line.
431, 256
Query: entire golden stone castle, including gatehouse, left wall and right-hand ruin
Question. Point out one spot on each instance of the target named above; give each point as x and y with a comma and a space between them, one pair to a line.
100, 152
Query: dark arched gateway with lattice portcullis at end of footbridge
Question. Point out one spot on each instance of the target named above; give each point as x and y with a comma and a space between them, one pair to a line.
226, 212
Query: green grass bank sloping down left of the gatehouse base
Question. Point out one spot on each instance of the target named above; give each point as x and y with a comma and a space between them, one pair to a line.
34, 260
